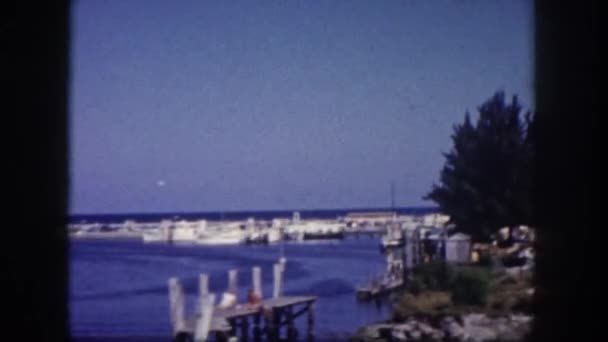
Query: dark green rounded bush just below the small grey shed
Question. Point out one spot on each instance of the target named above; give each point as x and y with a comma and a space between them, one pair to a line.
471, 287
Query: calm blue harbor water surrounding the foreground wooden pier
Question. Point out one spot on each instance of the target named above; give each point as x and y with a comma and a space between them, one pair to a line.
119, 288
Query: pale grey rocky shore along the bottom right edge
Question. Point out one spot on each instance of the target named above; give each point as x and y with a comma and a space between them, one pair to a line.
470, 327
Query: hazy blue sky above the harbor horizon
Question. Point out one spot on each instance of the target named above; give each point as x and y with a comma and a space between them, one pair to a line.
280, 105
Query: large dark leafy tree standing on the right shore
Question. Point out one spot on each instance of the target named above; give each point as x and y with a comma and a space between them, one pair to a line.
486, 181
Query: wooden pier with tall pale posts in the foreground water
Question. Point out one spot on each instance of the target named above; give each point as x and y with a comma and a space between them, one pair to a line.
263, 321
